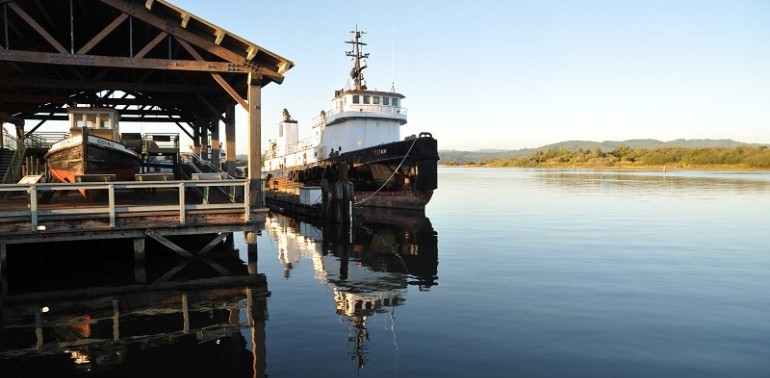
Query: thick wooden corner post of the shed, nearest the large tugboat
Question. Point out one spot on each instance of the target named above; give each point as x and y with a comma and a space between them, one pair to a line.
255, 140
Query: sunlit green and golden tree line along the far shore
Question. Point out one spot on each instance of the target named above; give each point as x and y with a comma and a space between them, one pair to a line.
743, 157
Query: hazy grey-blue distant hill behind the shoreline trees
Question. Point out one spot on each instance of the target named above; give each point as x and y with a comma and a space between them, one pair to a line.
574, 145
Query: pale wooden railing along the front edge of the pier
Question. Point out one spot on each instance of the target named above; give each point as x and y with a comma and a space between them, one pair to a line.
37, 214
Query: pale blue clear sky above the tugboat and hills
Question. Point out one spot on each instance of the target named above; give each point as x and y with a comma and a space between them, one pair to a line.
491, 74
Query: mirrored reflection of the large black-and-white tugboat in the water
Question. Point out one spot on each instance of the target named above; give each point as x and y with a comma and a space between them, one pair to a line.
367, 268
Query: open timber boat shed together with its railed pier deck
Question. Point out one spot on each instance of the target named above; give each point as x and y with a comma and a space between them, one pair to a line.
147, 62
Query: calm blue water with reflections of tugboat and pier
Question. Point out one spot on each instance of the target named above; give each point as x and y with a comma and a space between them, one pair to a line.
512, 273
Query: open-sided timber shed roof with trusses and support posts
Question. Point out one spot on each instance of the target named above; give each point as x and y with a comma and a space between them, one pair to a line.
150, 60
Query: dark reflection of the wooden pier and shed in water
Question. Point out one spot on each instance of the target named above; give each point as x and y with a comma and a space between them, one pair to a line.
201, 317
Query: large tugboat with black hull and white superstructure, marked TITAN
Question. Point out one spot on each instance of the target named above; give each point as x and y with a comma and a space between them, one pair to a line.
356, 141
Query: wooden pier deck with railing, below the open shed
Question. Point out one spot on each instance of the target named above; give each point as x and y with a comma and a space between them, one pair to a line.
53, 212
